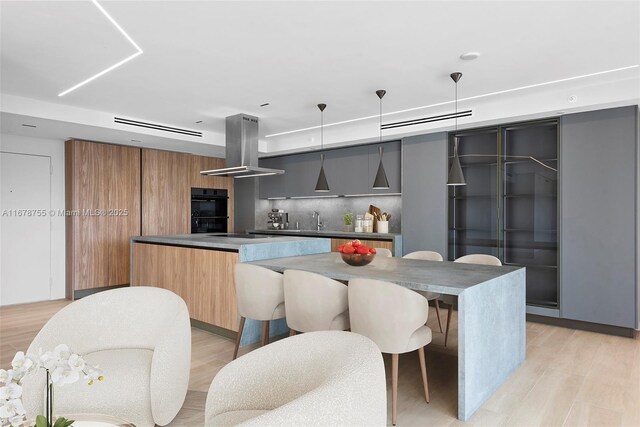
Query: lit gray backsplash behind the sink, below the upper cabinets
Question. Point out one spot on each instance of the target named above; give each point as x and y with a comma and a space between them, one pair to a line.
331, 211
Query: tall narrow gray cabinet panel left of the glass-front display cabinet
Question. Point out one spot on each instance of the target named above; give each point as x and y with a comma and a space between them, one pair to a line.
424, 193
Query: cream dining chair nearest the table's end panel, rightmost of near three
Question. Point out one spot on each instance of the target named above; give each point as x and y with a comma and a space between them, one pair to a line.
395, 319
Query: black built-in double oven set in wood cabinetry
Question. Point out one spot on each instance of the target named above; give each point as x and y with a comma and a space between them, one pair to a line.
209, 210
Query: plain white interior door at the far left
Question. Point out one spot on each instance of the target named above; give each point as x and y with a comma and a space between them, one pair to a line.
25, 251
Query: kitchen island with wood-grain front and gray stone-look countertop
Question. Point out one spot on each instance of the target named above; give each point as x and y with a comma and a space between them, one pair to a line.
199, 268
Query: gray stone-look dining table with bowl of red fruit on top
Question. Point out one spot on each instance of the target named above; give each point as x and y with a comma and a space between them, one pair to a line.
491, 311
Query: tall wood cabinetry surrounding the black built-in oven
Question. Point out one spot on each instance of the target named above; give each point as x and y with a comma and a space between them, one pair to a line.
167, 179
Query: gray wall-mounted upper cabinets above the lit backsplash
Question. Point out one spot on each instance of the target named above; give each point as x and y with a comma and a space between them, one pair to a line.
349, 171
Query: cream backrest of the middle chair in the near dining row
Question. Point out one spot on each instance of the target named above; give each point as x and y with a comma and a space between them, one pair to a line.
313, 301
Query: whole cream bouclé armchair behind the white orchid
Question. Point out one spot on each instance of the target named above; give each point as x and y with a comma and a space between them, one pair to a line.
140, 338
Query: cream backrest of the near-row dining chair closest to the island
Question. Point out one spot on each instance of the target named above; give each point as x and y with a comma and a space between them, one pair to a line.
258, 291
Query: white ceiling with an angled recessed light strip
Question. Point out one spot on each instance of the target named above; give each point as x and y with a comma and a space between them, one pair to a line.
205, 60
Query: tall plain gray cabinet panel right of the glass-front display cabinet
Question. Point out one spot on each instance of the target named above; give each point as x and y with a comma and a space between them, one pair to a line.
599, 205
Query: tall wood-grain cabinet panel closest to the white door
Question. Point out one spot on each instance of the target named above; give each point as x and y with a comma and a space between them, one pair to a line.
103, 212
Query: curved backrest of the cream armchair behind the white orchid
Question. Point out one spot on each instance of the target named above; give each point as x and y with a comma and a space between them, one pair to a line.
131, 317
